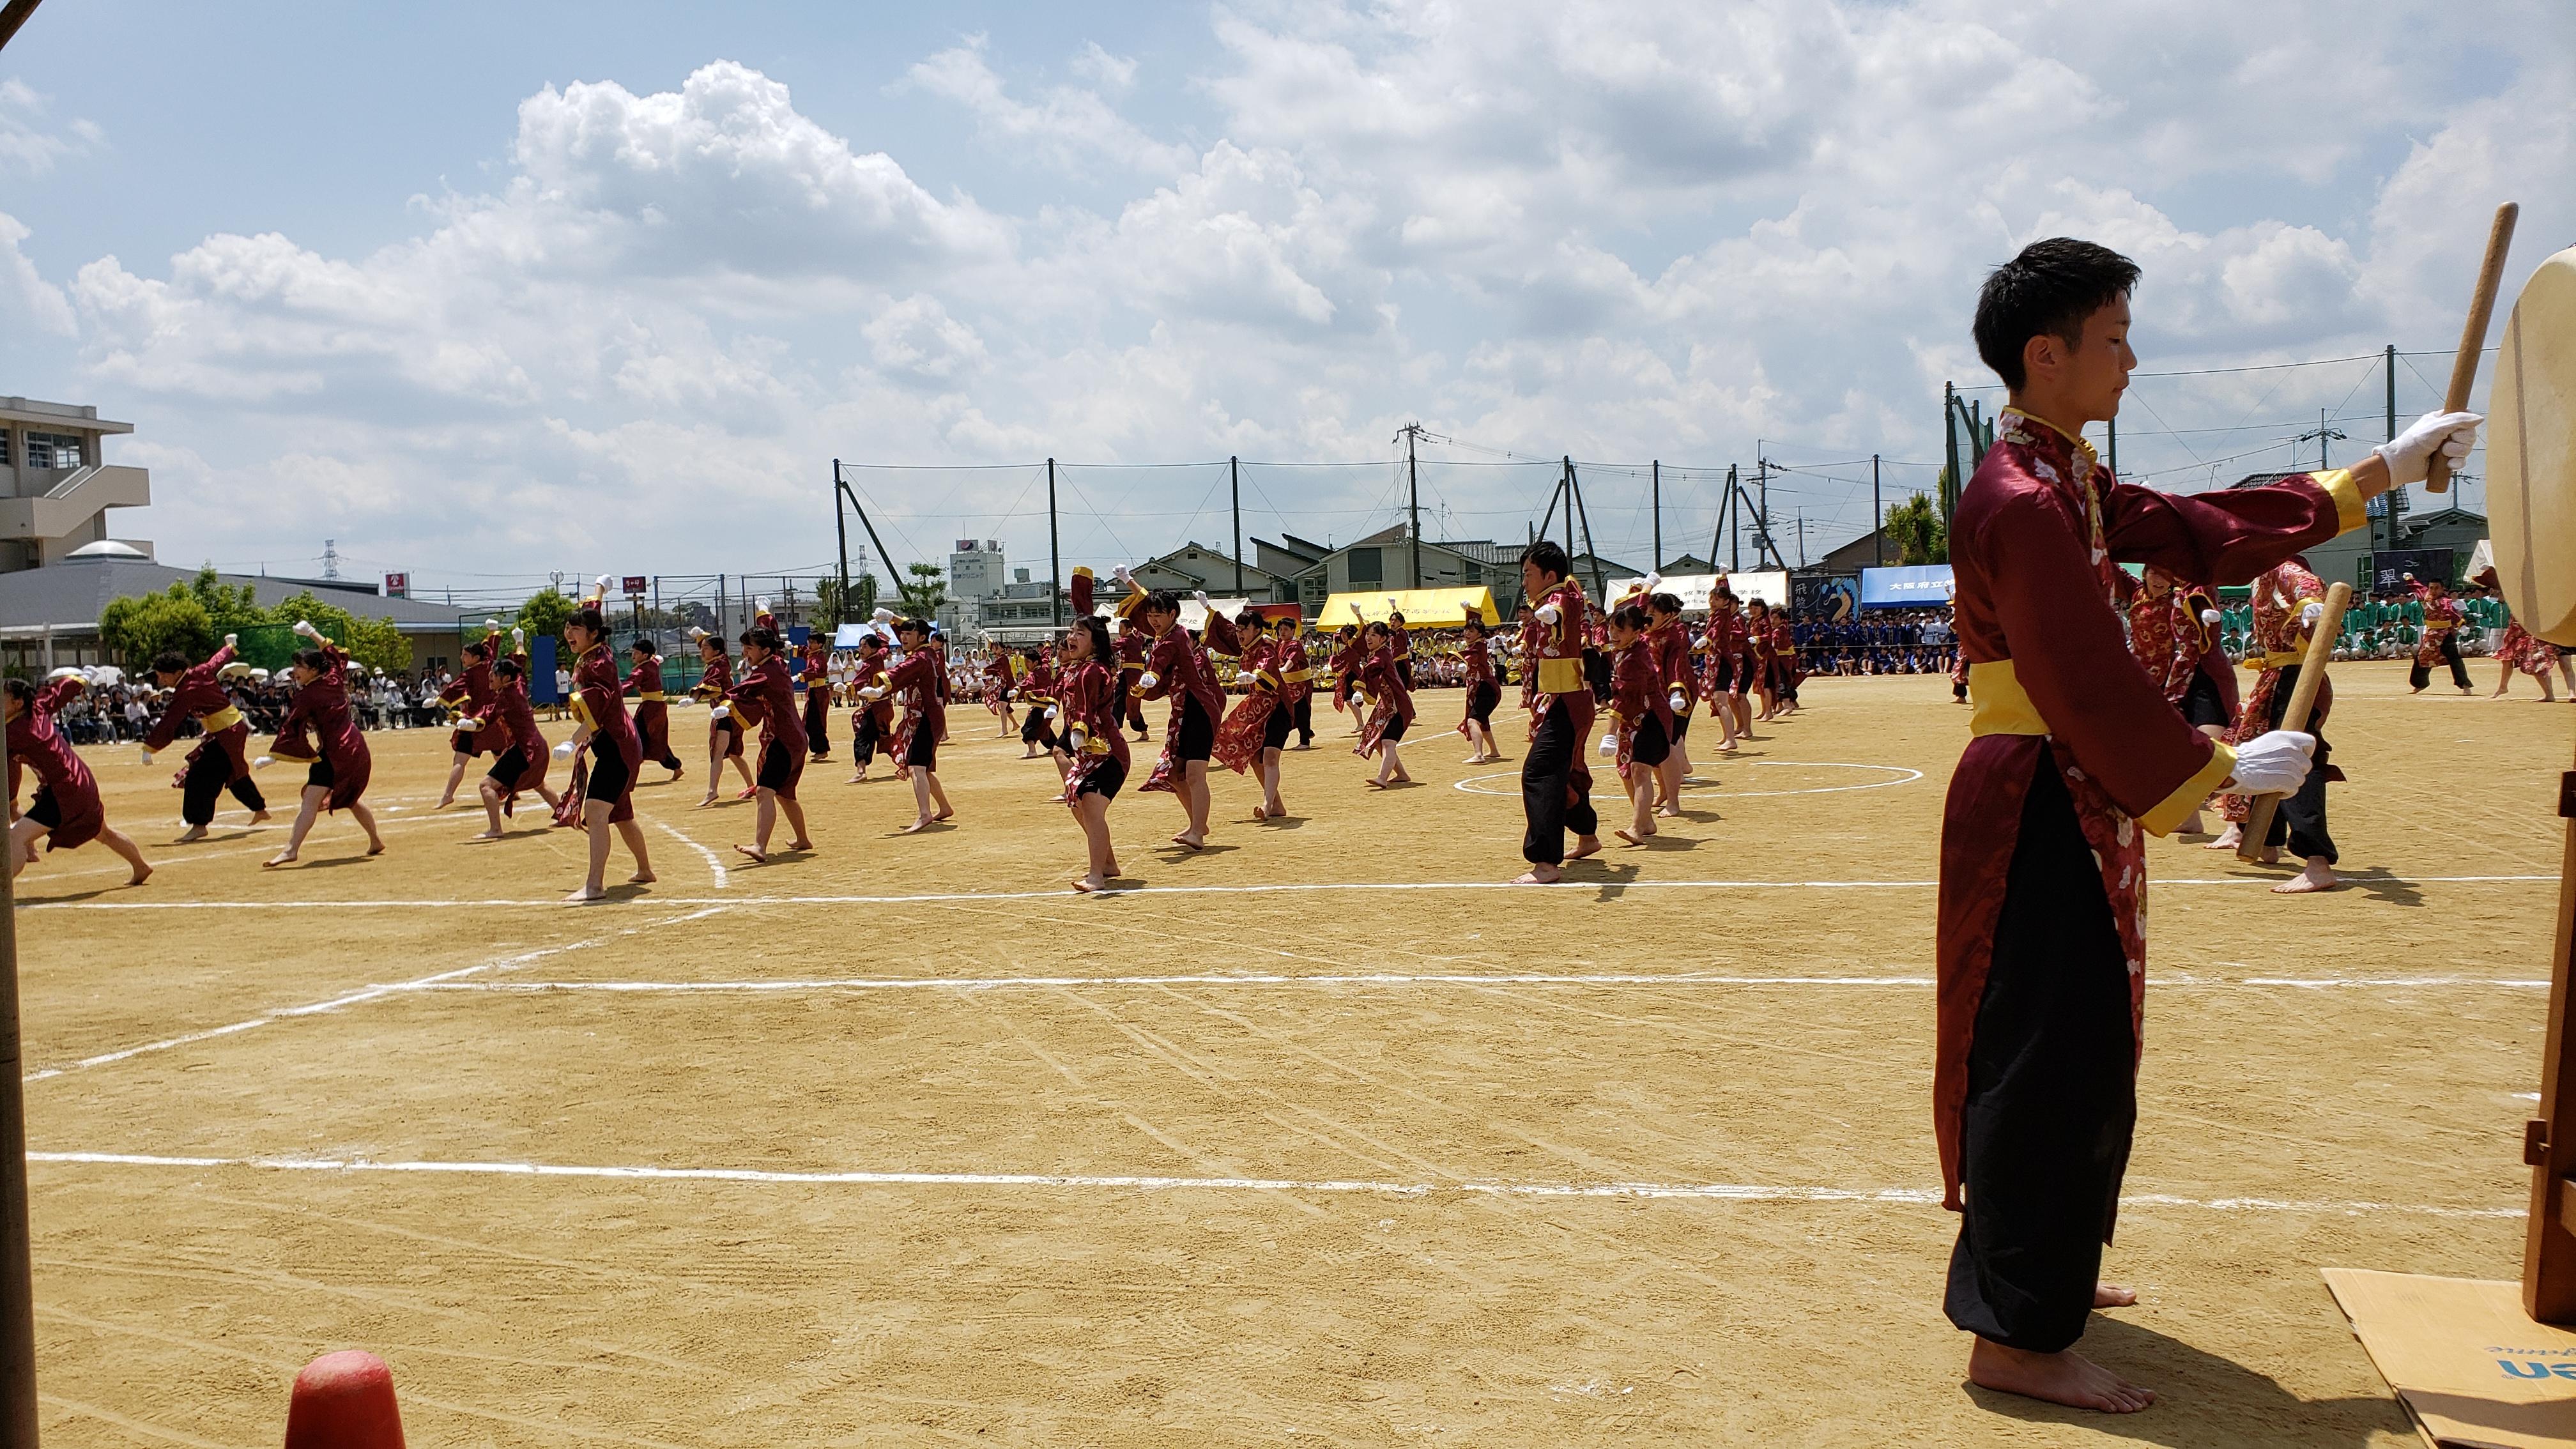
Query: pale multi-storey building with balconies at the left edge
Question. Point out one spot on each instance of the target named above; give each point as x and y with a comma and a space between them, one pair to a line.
61, 489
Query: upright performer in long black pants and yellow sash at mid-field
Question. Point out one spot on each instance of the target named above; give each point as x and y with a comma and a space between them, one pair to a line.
1555, 780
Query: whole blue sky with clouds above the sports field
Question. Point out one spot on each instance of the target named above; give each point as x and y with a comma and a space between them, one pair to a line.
488, 293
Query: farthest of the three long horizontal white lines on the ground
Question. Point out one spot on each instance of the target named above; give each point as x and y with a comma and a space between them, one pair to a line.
1160, 891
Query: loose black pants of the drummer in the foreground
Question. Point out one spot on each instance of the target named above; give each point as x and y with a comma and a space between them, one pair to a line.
2052, 1094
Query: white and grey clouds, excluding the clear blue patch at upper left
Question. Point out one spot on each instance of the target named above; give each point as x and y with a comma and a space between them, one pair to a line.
1611, 231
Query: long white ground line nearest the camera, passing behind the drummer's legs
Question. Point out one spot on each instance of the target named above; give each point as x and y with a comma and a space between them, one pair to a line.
1709, 1192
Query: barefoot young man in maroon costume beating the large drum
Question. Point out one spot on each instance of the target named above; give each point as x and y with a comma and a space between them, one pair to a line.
2072, 757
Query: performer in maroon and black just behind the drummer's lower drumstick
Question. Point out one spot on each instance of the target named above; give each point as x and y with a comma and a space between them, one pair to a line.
2289, 605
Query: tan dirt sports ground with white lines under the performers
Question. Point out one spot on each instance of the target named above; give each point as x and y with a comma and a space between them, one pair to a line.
1318, 1133
